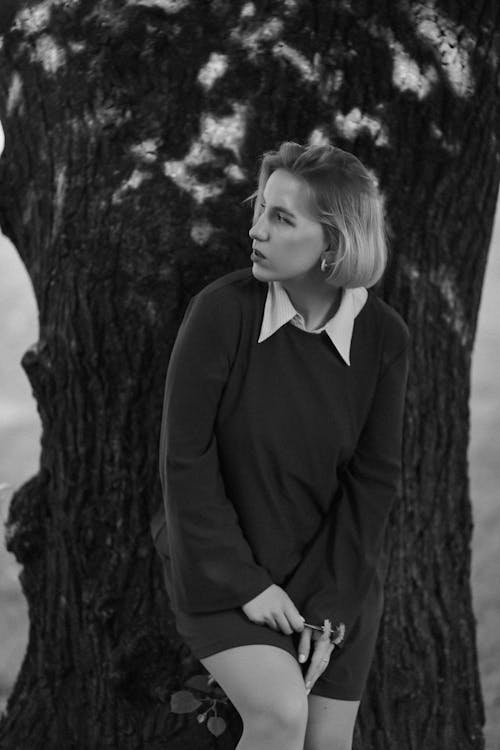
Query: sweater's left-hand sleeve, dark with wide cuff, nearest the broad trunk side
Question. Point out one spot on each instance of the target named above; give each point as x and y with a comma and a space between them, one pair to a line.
212, 566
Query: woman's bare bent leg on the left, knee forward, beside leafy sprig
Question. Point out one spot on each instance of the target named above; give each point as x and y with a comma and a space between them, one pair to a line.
266, 686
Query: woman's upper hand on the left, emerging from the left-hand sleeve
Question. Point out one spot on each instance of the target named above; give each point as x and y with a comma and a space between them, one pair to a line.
273, 607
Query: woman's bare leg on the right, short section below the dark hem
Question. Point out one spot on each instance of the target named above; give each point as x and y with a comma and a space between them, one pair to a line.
330, 723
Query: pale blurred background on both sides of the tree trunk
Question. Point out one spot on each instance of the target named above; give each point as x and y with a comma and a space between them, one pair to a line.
20, 442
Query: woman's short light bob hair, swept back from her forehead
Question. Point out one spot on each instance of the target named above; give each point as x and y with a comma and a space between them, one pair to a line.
344, 197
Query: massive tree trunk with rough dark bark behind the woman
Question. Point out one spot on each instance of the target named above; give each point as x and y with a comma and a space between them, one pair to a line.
132, 136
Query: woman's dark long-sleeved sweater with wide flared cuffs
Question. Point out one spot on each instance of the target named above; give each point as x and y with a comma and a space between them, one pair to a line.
279, 463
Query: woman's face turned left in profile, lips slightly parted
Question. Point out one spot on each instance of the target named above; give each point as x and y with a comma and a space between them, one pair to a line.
286, 233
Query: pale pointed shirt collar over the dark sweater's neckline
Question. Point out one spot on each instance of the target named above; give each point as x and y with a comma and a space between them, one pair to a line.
279, 310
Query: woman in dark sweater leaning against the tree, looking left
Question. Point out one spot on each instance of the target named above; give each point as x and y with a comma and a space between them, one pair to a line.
280, 455
